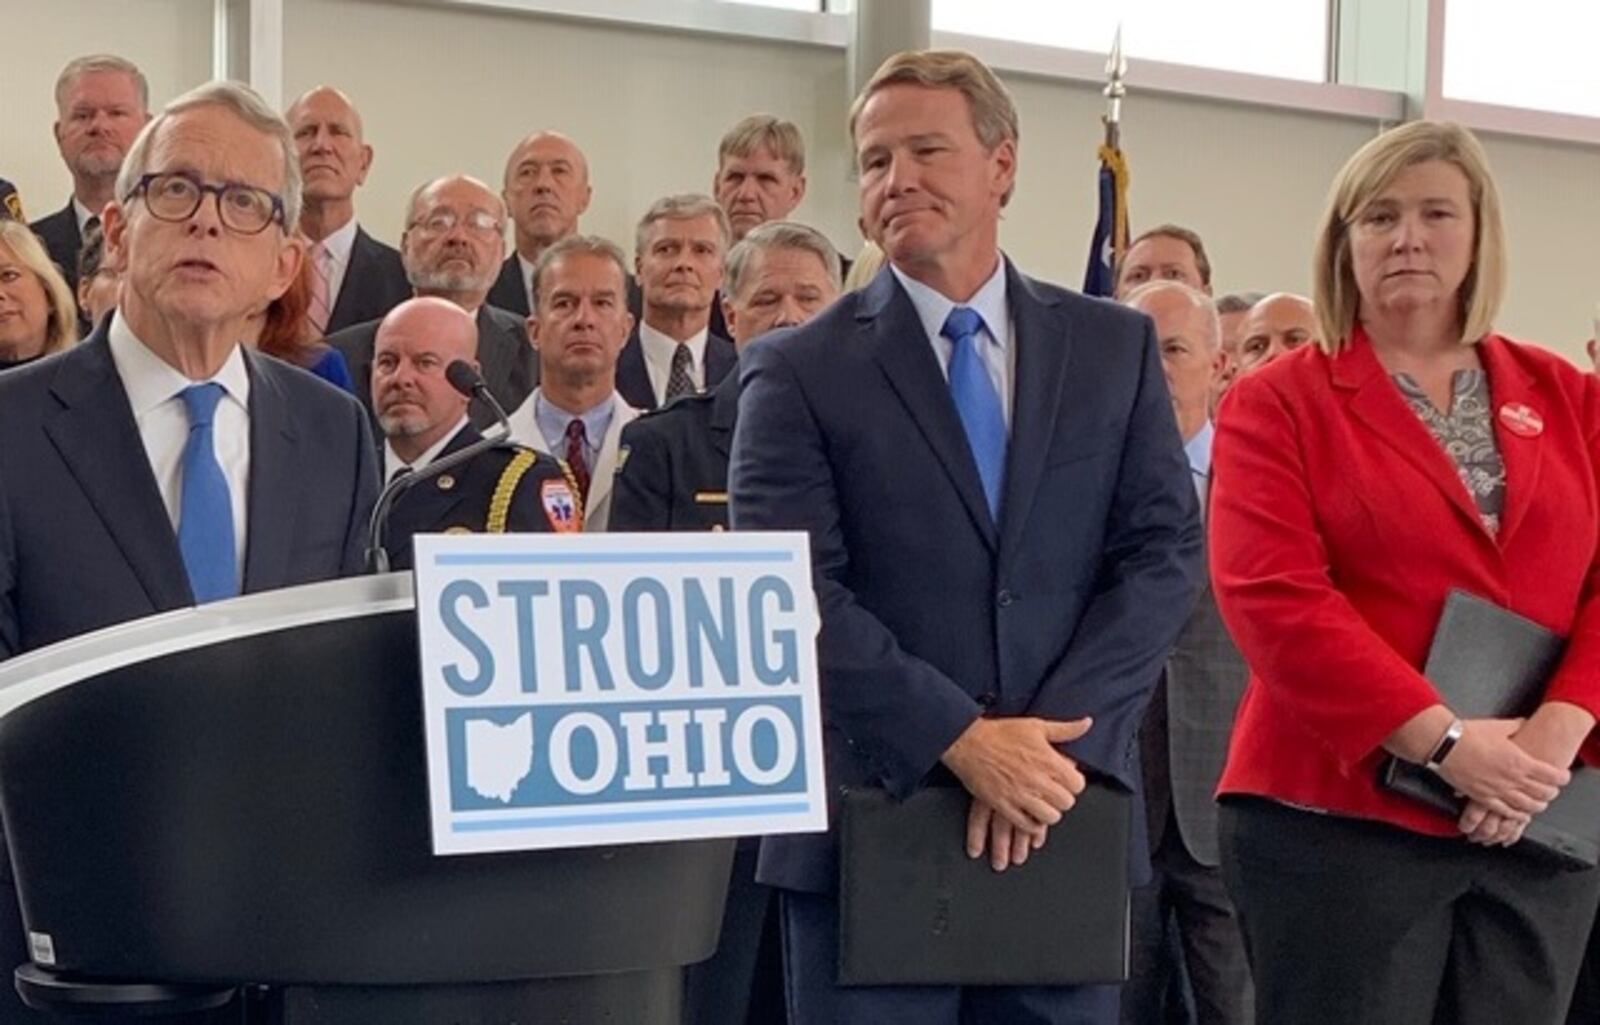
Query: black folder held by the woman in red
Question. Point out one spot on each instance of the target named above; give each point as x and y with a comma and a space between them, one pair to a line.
1489, 663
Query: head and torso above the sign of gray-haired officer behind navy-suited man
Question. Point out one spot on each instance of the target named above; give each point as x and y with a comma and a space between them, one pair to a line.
674, 468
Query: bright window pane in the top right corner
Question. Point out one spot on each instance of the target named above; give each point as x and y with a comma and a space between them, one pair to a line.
1532, 54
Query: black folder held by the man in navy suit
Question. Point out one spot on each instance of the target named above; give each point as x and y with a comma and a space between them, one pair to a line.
916, 911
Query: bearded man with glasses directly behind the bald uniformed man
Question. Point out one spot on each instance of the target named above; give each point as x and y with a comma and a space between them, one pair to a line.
452, 249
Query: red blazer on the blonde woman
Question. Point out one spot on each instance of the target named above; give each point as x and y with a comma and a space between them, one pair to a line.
1338, 527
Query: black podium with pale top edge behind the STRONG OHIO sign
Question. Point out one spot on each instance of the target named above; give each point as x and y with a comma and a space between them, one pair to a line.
236, 796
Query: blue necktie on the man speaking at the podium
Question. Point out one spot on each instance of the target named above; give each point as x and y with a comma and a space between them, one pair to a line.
206, 514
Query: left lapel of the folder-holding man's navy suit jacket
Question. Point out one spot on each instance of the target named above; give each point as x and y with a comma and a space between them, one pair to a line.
906, 357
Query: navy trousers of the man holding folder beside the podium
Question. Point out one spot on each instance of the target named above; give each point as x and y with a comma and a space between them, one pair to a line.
817, 999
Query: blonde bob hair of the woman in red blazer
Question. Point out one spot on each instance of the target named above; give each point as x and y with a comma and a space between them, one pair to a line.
1361, 181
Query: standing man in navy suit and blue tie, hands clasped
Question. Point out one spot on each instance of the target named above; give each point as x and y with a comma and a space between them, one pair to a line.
1004, 532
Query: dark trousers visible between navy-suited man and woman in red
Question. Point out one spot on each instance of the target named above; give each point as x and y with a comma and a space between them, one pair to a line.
1191, 896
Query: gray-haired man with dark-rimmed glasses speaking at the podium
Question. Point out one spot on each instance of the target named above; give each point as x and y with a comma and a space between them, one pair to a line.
161, 465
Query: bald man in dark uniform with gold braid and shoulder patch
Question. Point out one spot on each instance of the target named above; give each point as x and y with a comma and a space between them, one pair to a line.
425, 418
